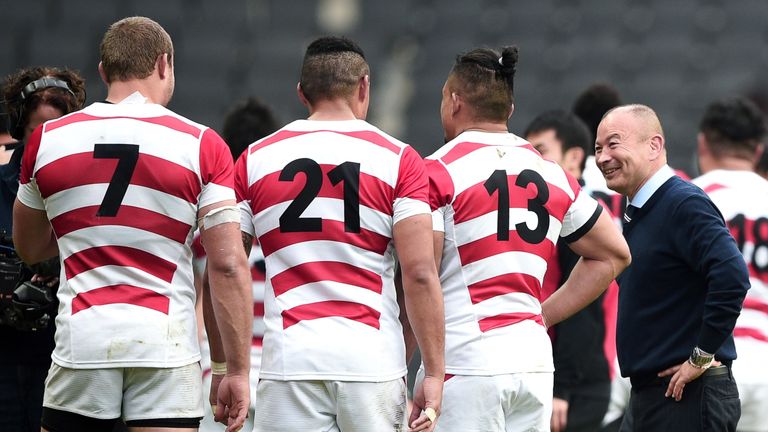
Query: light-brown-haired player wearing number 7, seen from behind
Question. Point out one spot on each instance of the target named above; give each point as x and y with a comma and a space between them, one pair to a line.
125, 332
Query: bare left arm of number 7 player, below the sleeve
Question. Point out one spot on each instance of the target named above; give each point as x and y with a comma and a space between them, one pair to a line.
33, 236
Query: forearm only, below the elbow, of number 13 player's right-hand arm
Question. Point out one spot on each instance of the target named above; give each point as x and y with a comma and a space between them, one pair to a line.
587, 281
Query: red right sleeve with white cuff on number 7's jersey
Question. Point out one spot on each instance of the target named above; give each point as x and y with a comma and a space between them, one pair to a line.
216, 170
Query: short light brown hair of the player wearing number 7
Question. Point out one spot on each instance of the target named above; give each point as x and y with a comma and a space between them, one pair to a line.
131, 46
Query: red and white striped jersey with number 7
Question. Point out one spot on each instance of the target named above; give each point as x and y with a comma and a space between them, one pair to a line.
122, 185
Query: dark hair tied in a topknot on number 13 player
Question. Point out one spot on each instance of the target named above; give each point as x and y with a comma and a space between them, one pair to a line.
485, 79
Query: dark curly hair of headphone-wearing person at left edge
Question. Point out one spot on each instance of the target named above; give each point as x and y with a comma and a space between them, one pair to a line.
19, 108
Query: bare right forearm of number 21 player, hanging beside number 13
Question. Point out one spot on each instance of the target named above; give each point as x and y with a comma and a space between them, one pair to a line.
424, 303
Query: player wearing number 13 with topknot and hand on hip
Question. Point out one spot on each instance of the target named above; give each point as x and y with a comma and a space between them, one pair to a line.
499, 211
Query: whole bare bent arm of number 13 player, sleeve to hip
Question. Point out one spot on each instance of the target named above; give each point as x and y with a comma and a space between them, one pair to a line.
604, 255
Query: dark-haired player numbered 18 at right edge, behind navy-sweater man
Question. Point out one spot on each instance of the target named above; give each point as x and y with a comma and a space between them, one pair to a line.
730, 139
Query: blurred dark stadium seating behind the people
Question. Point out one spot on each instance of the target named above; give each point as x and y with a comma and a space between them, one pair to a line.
675, 56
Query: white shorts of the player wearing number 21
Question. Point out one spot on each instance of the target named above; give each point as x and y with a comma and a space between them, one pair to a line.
330, 406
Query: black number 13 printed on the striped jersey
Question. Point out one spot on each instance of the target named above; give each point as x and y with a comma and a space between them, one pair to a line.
498, 182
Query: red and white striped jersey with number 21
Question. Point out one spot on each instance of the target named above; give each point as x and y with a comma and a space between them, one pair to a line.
322, 197
